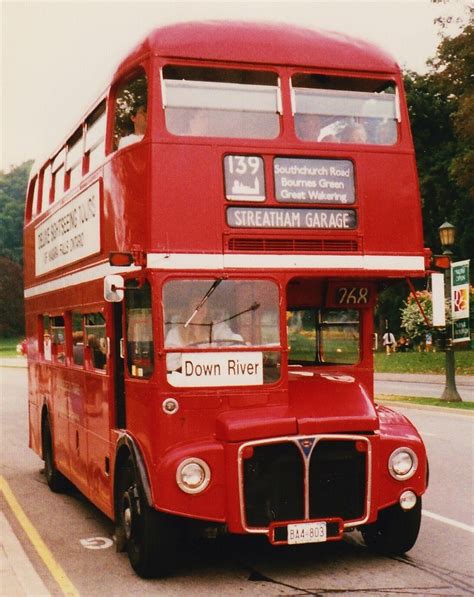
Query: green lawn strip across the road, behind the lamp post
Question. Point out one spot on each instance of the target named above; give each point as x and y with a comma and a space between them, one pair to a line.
423, 362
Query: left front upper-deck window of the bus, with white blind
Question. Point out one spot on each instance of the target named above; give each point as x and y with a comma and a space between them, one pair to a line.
214, 102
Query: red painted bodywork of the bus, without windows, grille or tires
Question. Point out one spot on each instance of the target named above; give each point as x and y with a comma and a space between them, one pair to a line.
166, 196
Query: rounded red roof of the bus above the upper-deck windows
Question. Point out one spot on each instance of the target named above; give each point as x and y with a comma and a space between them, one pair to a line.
265, 43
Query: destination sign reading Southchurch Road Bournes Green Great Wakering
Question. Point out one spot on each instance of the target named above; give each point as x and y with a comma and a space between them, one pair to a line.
302, 180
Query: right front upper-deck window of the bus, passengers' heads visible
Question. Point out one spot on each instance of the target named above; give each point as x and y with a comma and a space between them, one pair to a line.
332, 109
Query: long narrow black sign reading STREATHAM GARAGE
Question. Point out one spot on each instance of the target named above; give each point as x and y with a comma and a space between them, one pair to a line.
315, 219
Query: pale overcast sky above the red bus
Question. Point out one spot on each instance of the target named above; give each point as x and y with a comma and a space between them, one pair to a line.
58, 56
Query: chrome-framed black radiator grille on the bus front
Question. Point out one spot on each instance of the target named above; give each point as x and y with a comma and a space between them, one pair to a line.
304, 478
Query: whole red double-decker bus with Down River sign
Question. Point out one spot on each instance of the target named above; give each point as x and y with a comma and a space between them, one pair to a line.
202, 257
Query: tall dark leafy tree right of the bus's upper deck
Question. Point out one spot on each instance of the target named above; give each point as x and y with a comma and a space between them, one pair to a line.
441, 109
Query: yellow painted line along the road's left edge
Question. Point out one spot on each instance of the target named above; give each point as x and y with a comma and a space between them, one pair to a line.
55, 569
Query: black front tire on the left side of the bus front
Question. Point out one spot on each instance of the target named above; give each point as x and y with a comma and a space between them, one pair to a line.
151, 537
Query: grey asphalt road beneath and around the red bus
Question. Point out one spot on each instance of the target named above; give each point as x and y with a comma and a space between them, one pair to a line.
441, 563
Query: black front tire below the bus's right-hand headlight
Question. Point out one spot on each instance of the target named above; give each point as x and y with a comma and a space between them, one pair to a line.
395, 531
